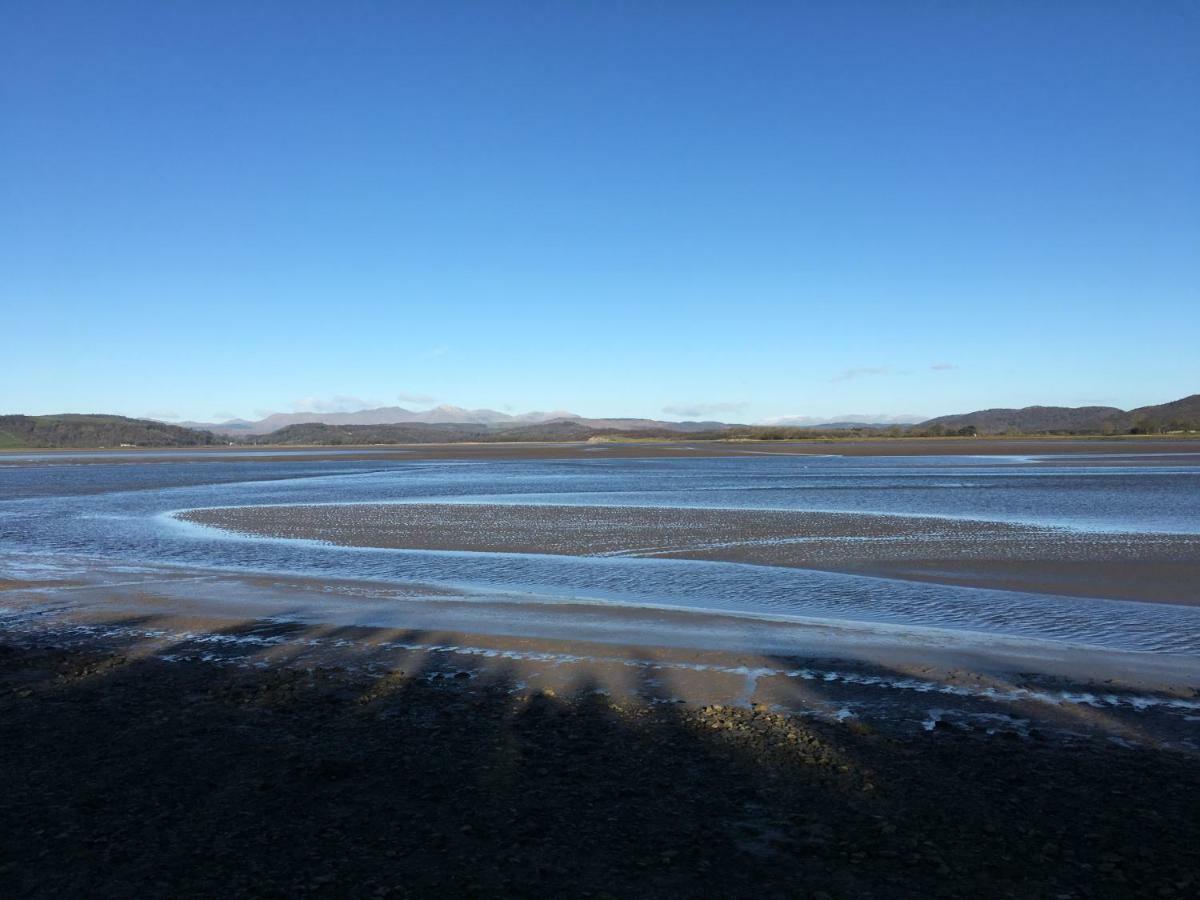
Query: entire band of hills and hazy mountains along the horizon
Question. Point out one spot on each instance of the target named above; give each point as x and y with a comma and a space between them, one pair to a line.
395, 425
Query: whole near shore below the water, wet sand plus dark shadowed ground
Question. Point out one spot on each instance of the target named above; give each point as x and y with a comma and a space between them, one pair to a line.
195, 734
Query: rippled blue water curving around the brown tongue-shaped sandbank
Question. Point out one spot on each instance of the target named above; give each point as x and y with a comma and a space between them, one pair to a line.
117, 512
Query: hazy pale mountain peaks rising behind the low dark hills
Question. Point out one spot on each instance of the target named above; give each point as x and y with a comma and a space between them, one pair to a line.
439, 416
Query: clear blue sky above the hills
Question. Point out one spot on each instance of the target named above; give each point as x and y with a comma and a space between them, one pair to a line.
669, 209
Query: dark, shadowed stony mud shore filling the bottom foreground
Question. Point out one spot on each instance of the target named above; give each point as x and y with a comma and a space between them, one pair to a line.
146, 778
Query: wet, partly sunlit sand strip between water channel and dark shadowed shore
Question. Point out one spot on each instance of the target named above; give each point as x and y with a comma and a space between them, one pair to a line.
658, 655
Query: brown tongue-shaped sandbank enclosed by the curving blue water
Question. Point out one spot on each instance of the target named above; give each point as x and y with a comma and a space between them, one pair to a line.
1160, 568
